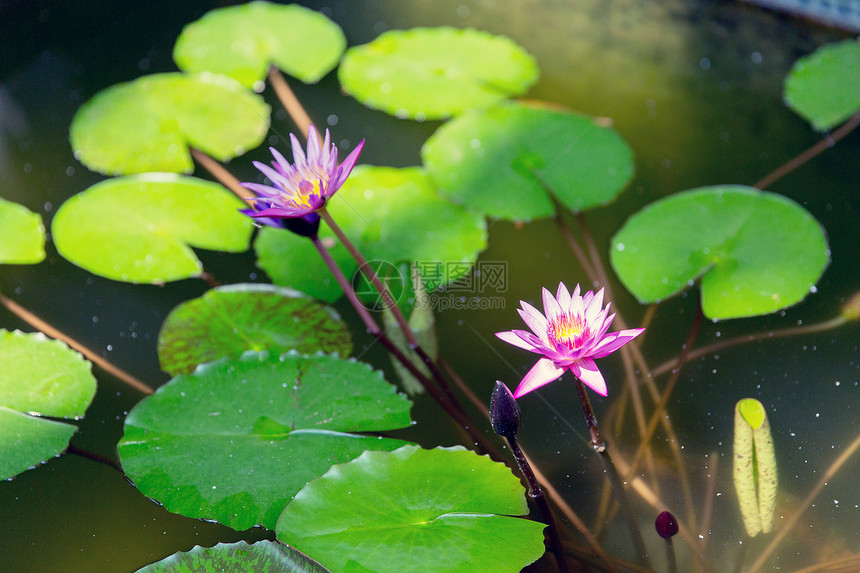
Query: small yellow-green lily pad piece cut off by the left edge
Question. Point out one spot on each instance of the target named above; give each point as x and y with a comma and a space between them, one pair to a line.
22, 235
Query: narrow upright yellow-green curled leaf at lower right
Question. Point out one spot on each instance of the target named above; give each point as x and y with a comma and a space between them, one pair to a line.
755, 466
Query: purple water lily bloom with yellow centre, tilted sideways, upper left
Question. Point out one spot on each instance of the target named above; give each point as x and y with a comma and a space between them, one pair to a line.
304, 186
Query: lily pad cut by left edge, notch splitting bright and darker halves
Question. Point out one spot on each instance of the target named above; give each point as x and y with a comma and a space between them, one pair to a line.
38, 377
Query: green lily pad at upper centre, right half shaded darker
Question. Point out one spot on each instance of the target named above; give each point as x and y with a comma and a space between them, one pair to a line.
502, 160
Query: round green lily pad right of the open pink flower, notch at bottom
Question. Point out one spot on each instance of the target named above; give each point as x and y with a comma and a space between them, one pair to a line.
755, 252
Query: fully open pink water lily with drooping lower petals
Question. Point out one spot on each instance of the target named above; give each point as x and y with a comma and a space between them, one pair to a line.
570, 336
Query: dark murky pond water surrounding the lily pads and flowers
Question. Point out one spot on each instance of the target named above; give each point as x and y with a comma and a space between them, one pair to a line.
694, 87
